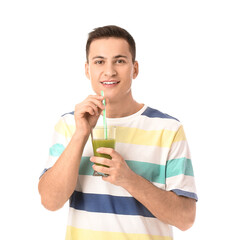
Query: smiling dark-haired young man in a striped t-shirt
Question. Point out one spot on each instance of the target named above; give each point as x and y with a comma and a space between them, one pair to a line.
150, 184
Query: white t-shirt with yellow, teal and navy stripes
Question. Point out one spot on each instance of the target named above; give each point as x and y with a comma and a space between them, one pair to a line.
154, 146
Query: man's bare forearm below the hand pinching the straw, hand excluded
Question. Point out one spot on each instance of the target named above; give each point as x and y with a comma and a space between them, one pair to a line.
58, 183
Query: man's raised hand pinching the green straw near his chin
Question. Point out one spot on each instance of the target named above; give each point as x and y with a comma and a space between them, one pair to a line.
87, 113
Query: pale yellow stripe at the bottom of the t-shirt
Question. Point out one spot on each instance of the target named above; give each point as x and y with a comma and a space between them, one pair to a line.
76, 233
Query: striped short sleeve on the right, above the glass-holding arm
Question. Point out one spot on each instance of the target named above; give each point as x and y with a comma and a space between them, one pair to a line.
179, 169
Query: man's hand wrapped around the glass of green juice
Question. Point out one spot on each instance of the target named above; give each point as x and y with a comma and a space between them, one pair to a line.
118, 171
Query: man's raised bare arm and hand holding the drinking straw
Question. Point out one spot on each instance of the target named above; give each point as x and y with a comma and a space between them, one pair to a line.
59, 182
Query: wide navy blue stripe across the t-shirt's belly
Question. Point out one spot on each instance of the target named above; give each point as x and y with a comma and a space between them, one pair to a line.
108, 204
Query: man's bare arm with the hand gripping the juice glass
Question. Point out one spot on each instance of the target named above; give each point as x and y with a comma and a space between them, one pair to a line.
167, 206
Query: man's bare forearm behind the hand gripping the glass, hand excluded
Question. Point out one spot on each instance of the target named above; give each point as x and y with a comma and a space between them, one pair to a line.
166, 206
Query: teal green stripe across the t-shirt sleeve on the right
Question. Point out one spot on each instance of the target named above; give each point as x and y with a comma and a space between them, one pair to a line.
179, 166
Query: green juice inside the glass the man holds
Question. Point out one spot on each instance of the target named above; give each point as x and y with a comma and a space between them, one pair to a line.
108, 143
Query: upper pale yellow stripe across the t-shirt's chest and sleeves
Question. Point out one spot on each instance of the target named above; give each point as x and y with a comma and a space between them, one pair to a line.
160, 138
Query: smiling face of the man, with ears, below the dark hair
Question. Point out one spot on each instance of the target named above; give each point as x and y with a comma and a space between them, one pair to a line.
110, 67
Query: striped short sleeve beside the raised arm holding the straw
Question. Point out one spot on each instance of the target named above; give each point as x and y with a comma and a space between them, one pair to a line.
58, 144
